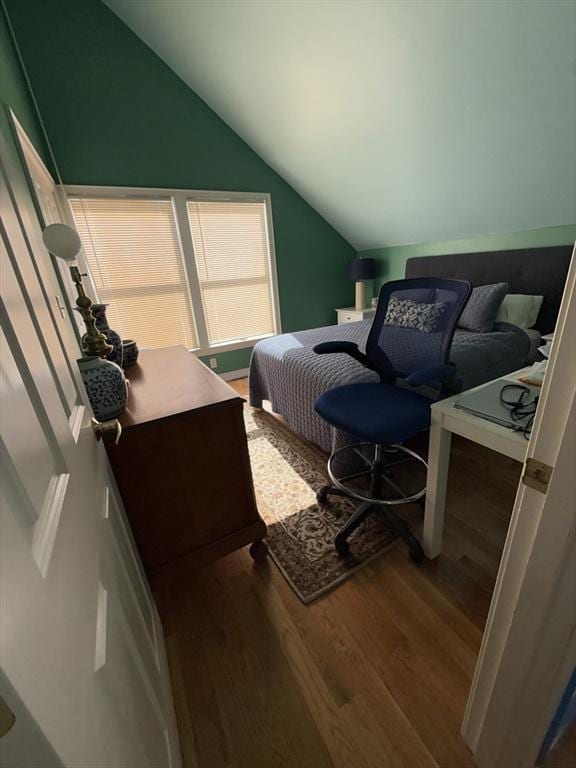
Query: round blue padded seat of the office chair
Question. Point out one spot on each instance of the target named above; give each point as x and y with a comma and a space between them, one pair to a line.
377, 413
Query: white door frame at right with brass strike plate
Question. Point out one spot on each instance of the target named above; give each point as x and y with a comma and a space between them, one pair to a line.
528, 648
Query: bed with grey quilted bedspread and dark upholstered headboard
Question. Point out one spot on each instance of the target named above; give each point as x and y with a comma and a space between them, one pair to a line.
285, 371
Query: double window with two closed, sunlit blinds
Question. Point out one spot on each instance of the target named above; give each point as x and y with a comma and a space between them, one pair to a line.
180, 268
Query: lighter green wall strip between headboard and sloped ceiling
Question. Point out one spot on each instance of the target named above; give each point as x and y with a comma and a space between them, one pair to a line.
392, 260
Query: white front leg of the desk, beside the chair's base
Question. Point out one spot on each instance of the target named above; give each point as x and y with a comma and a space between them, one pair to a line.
437, 480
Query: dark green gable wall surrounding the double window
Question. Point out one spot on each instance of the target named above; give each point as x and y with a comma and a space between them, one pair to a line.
117, 115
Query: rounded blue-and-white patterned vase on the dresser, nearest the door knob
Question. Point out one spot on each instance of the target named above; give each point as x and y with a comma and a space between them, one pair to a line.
106, 386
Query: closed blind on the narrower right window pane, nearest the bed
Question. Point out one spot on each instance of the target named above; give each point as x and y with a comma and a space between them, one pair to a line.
231, 250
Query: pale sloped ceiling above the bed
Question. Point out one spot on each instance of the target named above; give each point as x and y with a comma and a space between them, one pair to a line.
400, 121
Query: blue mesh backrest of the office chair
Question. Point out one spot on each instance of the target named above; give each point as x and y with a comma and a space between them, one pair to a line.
414, 324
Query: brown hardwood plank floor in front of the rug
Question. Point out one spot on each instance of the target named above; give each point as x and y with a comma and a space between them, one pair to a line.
373, 675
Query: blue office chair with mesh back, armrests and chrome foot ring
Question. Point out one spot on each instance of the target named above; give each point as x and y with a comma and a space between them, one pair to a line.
408, 346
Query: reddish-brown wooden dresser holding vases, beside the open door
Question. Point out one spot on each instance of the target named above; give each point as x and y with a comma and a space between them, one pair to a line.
182, 463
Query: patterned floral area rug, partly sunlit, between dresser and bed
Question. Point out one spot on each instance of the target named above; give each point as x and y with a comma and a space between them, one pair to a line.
287, 473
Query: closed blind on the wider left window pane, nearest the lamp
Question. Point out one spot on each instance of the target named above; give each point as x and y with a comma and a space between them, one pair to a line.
133, 250
